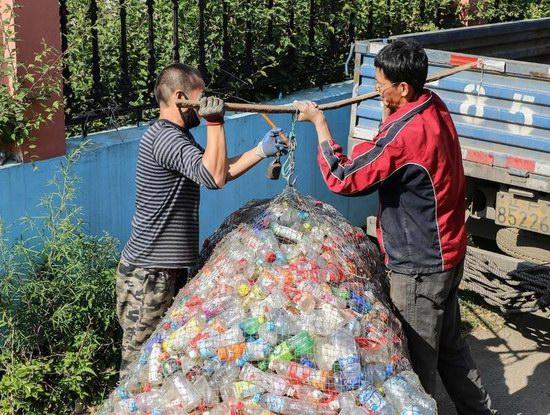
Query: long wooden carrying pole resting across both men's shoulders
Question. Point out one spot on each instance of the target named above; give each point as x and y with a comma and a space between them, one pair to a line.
289, 109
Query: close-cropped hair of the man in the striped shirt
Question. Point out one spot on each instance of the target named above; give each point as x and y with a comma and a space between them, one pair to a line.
177, 76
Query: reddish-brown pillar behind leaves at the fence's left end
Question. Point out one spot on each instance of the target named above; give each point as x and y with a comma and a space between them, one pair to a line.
37, 22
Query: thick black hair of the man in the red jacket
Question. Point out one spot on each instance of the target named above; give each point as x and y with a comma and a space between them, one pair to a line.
404, 61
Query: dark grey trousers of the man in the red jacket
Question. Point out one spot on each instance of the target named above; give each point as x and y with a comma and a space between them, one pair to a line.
428, 307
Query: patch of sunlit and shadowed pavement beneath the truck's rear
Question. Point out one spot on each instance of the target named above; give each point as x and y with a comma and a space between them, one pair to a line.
514, 362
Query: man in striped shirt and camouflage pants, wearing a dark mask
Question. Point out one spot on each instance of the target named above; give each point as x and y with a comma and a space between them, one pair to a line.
171, 167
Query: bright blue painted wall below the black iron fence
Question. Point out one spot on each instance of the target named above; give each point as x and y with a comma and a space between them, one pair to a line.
107, 172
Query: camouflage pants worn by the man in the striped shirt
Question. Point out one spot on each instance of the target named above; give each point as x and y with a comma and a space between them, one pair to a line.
143, 296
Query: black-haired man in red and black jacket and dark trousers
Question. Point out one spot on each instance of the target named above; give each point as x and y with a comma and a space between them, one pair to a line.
415, 164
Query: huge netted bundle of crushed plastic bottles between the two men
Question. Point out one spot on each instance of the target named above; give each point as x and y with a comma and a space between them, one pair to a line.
286, 316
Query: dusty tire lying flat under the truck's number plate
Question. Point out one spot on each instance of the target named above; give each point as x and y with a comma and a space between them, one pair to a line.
523, 244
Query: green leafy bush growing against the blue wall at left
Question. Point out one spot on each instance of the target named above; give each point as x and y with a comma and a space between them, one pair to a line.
59, 336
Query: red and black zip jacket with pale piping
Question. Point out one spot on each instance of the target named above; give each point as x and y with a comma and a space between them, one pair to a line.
415, 164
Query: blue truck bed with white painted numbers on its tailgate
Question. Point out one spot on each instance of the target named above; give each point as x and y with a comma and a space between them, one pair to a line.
501, 111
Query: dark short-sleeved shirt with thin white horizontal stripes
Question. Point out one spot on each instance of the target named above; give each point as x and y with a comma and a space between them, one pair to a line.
165, 226
